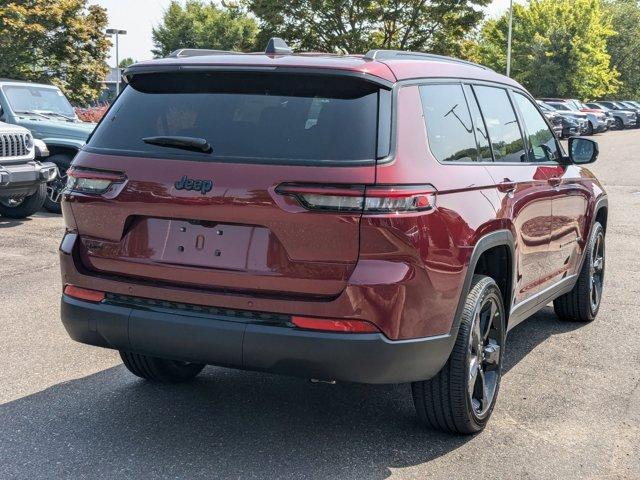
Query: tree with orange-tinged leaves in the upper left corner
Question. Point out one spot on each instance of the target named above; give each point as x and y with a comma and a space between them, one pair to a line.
58, 42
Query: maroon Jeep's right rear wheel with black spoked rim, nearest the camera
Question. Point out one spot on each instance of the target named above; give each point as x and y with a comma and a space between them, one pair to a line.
447, 402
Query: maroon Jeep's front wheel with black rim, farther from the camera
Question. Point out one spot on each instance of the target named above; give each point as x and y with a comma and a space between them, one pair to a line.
582, 303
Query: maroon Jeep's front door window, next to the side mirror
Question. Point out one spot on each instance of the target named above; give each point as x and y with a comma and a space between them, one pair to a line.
542, 142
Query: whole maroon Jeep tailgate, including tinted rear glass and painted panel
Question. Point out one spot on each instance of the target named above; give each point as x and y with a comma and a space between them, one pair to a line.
215, 221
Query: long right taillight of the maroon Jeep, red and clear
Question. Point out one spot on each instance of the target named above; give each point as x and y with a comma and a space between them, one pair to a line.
383, 199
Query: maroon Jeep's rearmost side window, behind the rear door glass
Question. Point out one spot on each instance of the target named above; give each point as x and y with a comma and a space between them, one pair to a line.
449, 126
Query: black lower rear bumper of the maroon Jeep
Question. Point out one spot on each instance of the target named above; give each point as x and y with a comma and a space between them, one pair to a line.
254, 344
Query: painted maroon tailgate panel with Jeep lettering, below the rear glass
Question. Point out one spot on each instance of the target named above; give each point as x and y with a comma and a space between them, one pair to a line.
240, 236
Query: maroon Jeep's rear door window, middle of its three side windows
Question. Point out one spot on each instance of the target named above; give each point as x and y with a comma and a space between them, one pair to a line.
502, 124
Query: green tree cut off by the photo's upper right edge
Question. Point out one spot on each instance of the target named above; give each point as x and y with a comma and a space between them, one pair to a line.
624, 47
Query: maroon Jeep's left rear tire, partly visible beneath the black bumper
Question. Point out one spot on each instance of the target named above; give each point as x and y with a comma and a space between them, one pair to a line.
159, 370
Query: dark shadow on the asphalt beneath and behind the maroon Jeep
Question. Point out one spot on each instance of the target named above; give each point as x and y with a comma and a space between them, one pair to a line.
227, 424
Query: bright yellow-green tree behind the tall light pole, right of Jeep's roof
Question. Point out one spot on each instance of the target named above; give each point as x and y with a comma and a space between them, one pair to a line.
559, 48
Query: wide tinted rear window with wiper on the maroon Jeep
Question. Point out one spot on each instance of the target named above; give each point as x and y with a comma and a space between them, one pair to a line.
245, 117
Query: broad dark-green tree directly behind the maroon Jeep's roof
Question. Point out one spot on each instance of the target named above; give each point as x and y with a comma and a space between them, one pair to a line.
437, 26
